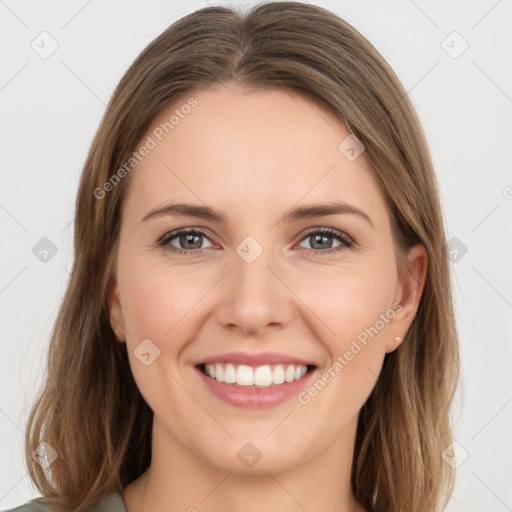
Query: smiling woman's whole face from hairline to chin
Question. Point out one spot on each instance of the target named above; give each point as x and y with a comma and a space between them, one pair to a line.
256, 277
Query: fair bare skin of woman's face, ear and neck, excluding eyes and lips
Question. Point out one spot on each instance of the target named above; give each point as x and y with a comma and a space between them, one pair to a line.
254, 156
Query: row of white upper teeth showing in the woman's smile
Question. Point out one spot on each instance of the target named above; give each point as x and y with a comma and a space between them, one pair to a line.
260, 376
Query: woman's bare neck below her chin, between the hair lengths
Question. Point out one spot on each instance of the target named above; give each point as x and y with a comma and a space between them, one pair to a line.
179, 480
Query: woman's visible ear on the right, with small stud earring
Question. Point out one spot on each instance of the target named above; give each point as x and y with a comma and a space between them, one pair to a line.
408, 294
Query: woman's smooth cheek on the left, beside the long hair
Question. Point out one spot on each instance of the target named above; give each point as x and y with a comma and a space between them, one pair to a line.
158, 312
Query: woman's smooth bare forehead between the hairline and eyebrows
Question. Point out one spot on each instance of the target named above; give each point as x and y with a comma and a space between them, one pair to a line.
249, 150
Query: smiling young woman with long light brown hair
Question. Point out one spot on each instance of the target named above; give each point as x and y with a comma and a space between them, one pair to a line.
255, 368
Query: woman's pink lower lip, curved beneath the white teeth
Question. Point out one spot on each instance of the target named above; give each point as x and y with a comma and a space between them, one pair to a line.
256, 398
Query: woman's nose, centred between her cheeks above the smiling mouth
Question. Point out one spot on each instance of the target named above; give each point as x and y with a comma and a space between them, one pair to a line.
255, 297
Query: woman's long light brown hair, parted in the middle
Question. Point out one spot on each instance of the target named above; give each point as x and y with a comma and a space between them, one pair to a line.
90, 410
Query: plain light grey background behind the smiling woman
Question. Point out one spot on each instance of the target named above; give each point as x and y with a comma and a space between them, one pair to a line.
50, 109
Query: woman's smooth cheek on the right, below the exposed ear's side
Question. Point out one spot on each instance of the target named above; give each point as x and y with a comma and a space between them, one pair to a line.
353, 313
